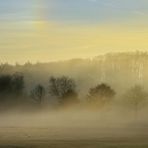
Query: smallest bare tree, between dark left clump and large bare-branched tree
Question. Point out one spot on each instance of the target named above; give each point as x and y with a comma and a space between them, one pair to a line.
38, 93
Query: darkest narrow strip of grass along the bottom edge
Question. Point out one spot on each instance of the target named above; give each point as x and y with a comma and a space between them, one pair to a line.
76, 144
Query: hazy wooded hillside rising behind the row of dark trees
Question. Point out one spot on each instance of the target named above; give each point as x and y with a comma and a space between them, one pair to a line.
121, 70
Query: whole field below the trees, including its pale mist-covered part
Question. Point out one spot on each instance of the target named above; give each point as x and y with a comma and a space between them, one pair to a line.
71, 129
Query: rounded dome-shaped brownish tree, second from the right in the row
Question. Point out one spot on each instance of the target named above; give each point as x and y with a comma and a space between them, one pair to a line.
101, 93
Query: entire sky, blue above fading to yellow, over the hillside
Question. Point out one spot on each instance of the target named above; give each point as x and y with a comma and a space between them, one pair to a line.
51, 30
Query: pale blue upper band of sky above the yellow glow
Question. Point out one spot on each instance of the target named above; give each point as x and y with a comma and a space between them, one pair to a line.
73, 10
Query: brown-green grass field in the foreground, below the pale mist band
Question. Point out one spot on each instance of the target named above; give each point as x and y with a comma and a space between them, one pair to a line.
27, 137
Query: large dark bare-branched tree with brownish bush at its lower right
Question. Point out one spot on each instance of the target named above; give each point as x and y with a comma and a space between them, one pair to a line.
63, 88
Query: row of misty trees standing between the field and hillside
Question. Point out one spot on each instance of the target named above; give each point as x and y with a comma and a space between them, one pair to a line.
64, 89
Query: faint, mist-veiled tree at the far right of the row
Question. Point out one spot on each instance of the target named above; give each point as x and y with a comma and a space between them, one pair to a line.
136, 98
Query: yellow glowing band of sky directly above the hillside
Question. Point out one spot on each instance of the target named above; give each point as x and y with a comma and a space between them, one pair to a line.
48, 41
